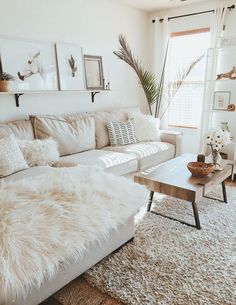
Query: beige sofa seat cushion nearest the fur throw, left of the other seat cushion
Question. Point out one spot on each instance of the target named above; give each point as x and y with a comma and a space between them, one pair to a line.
113, 162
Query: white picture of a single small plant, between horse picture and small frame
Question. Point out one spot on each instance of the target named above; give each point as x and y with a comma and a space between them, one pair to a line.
70, 66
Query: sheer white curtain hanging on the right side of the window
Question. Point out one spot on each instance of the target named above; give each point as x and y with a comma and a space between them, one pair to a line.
217, 24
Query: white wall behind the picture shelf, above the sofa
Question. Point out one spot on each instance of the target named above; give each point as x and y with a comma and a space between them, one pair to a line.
93, 24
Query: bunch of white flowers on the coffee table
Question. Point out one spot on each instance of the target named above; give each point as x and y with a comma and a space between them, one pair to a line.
217, 139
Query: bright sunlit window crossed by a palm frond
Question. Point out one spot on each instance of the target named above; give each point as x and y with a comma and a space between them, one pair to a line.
186, 105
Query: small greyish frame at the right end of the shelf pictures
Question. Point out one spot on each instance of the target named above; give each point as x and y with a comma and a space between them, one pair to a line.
93, 72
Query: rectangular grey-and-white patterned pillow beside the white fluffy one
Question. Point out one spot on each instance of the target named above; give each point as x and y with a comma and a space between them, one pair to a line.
121, 133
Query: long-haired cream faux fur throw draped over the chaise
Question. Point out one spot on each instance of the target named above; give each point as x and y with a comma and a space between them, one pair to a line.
48, 220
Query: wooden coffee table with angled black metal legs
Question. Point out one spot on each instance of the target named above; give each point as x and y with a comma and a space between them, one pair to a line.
172, 178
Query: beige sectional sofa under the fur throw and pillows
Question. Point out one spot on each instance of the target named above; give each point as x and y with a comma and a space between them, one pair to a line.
122, 160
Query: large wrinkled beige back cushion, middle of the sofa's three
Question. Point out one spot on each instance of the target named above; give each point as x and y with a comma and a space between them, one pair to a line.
73, 135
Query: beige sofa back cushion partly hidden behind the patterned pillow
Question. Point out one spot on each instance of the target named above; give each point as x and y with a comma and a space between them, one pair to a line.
101, 119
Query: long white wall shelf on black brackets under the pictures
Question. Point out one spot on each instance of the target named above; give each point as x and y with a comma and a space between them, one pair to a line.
17, 94
